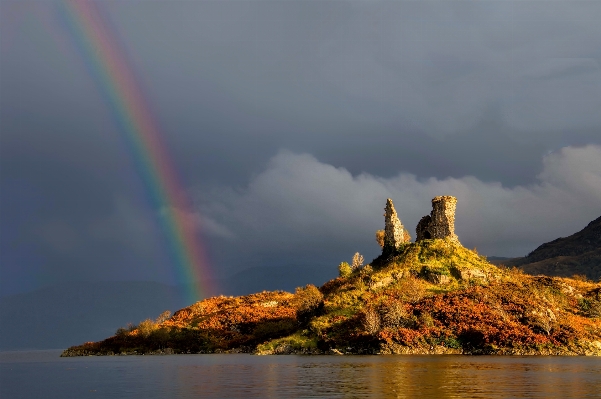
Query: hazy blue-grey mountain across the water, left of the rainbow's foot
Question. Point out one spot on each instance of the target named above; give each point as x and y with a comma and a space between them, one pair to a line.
53, 317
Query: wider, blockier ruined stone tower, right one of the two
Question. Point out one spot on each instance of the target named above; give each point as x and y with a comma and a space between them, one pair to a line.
440, 223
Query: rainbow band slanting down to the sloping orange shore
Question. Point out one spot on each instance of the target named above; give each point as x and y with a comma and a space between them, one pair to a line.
109, 67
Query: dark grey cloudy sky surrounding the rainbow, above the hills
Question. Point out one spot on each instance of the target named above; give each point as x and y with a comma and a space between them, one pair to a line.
287, 124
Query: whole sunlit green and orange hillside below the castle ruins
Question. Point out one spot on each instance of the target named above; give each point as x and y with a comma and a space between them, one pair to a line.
429, 297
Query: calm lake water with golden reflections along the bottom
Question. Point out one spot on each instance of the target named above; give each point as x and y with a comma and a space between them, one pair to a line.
42, 374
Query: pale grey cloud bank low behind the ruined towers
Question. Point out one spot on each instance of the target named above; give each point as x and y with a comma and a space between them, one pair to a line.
301, 206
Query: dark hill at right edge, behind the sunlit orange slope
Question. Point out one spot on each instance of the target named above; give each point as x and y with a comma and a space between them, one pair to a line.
579, 253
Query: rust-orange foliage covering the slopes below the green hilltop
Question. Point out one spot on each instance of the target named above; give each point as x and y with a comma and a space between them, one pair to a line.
518, 311
